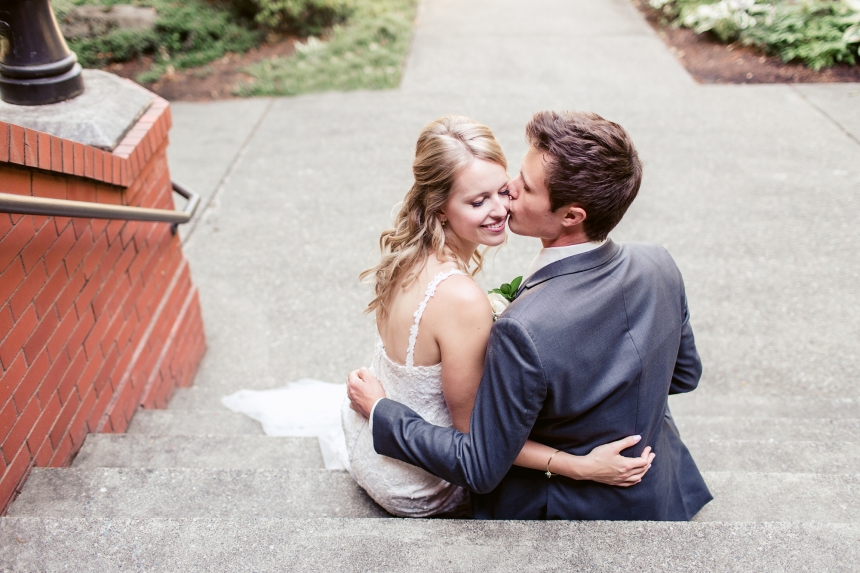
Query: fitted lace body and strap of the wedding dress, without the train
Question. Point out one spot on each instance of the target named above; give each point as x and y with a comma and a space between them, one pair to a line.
400, 488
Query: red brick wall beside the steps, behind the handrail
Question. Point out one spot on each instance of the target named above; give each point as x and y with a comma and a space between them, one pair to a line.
97, 317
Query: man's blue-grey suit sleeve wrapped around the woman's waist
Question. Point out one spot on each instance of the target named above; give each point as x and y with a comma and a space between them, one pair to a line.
511, 394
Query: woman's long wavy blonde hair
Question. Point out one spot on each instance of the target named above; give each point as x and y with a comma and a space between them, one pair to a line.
444, 148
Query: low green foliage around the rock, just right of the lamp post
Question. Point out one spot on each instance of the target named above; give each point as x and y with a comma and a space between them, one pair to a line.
188, 33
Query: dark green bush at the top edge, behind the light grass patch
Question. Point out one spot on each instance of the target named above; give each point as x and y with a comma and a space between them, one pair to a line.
302, 17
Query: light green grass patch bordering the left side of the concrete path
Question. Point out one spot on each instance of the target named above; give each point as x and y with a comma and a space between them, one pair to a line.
366, 52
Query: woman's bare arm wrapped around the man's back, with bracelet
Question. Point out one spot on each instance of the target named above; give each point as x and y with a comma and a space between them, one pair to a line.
460, 322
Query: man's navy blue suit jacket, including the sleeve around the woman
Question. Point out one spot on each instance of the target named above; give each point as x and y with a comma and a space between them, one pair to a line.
588, 353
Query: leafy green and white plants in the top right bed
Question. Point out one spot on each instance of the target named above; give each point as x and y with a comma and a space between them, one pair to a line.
819, 33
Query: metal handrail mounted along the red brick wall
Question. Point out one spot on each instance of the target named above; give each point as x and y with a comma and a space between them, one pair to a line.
26, 205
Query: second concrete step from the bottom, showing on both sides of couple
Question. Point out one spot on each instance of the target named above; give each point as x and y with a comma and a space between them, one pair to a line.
133, 493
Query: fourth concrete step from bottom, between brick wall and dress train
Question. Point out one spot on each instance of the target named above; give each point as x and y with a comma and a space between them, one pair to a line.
211, 422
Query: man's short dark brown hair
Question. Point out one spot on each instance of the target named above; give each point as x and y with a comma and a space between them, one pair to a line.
592, 163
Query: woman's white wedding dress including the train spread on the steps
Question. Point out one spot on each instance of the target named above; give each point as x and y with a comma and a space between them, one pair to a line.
314, 408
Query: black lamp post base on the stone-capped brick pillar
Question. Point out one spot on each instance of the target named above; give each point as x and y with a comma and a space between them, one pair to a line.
36, 66
